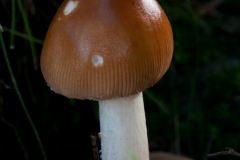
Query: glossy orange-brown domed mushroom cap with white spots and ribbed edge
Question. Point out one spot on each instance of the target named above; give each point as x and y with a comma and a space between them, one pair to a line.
101, 49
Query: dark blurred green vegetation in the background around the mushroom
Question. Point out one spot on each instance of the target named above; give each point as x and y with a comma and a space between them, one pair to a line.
193, 110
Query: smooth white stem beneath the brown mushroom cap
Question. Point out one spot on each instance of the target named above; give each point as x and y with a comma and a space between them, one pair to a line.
123, 129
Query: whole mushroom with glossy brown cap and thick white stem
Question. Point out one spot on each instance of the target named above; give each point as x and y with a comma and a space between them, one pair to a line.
110, 51
